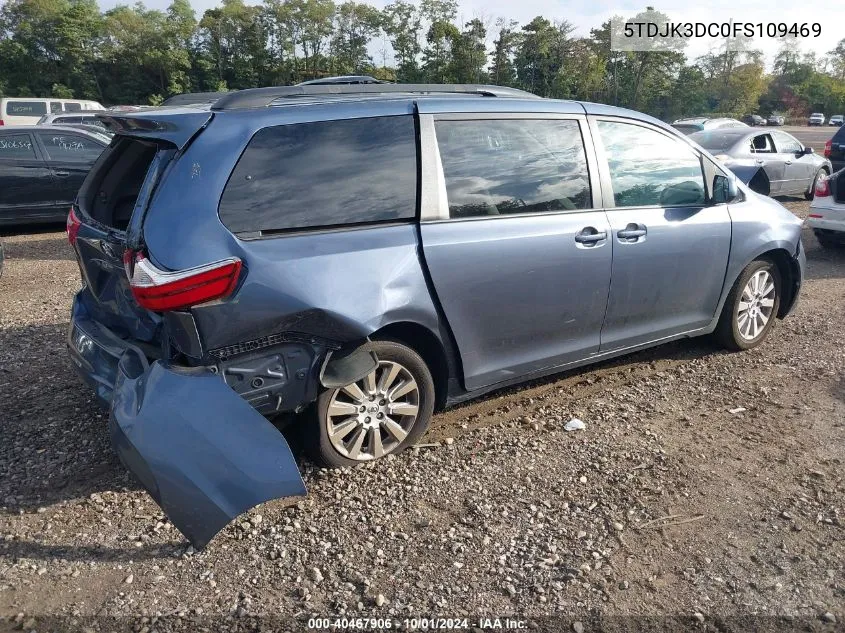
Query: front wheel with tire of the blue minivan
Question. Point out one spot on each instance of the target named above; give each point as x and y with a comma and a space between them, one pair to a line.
735, 333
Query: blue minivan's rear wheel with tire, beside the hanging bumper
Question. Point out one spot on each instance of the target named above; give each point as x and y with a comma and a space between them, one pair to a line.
384, 430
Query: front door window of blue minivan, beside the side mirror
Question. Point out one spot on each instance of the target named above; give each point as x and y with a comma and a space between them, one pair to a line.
648, 168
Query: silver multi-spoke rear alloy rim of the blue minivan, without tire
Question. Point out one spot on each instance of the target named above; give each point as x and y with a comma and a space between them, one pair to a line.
371, 418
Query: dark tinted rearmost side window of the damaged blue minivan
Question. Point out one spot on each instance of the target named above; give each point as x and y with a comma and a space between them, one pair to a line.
325, 173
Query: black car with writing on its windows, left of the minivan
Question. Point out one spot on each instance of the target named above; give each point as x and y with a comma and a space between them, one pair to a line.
42, 168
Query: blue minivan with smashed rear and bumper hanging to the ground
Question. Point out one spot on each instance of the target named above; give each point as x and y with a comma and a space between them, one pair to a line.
364, 255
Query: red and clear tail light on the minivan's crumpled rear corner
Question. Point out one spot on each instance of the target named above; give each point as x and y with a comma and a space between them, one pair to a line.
159, 290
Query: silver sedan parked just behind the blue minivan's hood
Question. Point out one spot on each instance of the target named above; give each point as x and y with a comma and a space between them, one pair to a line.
770, 162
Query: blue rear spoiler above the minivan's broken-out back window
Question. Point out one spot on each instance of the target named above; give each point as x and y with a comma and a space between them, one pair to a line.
175, 126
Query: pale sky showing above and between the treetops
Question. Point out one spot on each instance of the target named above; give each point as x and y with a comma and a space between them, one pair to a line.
588, 14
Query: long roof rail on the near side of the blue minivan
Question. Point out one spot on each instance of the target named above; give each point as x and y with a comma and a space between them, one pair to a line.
263, 97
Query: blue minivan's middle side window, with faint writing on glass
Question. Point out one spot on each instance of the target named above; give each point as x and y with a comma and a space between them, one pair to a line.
504, 167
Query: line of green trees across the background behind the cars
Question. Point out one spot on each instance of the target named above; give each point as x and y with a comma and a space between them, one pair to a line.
136, 55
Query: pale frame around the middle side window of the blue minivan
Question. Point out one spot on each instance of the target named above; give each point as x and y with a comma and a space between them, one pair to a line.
434, 202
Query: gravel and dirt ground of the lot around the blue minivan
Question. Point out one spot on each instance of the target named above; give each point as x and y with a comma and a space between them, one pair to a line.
707, 486
